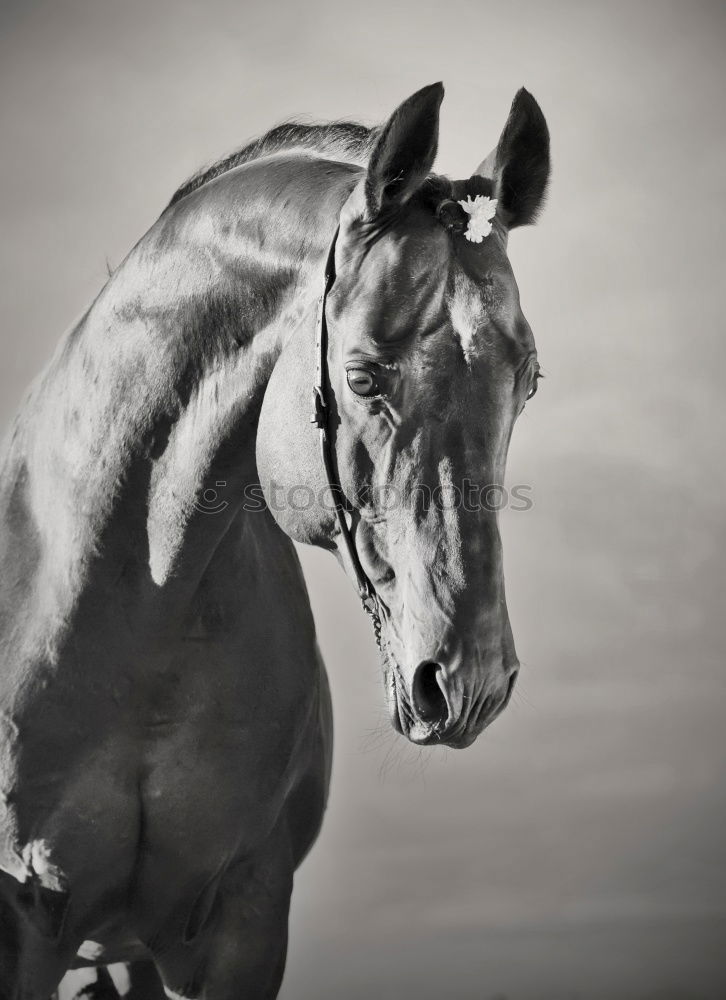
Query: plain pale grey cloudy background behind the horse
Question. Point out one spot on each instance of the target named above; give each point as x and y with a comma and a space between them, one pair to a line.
578, 849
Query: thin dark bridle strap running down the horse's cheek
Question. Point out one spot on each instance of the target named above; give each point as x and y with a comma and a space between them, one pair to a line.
321, 419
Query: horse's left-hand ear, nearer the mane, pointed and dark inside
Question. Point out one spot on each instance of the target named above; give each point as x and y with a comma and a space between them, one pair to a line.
405, 151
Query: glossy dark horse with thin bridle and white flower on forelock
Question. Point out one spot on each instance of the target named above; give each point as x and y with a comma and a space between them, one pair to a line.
165, 718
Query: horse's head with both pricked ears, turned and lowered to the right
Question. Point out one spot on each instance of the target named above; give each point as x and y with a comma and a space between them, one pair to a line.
430, 360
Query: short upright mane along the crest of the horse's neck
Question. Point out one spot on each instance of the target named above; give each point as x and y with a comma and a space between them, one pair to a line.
347, 141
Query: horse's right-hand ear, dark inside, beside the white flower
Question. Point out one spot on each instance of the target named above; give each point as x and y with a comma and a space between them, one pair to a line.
519, 166
